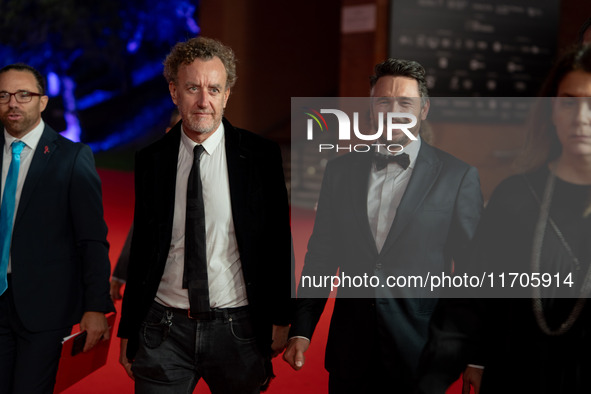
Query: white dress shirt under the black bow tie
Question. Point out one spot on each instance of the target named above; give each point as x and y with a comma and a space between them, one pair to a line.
385, 190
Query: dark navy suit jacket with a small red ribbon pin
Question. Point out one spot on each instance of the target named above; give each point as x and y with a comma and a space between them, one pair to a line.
59, 250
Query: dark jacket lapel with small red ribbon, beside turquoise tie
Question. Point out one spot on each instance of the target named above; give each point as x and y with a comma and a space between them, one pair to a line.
45, 150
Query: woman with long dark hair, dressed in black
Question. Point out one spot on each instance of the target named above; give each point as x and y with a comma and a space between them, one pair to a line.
535, 222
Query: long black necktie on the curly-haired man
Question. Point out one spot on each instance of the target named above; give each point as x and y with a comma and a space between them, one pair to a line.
195, 273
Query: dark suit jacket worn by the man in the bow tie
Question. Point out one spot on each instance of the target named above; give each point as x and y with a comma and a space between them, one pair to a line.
433, 225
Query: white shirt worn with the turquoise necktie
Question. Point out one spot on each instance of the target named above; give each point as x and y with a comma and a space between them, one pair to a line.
31, 140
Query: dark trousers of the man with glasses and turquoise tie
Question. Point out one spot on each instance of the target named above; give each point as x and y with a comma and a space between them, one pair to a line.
28, 360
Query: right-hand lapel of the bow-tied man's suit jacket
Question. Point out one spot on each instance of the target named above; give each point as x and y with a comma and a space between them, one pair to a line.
425, 173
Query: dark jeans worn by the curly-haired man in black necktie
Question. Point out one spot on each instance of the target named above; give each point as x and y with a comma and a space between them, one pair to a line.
175, 352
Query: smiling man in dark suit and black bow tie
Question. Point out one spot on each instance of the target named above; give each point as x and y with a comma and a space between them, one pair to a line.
382, 214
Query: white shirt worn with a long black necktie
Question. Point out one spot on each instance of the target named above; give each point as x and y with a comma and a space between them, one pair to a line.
226, 283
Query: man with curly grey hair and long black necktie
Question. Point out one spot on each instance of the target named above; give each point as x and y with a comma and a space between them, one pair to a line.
208, 287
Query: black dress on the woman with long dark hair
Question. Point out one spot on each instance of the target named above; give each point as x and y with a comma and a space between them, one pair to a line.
518, 356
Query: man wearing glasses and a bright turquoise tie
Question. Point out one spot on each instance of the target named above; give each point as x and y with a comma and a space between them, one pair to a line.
54, 264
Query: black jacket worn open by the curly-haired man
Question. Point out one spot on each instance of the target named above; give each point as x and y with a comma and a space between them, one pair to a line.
261, 219
